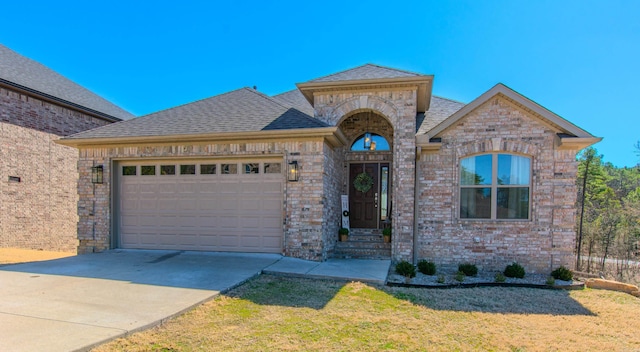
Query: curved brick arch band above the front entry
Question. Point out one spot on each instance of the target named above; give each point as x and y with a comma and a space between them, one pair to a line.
364, 103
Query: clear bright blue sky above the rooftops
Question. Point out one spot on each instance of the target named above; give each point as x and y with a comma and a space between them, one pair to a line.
579, 59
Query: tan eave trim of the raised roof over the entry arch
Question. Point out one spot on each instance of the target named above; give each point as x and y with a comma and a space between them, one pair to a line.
423, 82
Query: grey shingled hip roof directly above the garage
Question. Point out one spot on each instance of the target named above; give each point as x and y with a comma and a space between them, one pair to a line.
242, 110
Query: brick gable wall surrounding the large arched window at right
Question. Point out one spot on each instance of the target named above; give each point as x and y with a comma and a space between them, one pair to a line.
539, 244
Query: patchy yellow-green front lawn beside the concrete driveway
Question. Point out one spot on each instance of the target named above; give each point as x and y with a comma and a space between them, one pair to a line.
273, 313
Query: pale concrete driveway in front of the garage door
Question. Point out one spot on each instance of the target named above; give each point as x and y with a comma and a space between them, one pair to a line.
78, 302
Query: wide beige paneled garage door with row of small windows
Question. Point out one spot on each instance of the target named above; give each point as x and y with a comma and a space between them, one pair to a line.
203, 205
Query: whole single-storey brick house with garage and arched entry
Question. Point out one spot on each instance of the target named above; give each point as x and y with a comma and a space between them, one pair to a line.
489, 182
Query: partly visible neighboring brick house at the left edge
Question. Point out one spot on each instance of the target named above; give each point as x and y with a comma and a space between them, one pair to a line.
39, 178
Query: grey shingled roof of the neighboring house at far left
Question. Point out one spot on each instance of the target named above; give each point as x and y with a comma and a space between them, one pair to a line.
28, 75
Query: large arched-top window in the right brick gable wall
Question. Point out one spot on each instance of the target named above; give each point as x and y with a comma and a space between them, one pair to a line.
495, 186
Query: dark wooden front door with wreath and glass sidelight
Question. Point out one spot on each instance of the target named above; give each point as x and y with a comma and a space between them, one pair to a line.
370, 207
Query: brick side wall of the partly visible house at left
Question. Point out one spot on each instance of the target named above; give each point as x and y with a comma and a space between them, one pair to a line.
40, 211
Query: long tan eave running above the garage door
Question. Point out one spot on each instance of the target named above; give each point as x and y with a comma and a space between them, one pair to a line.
332, 134
